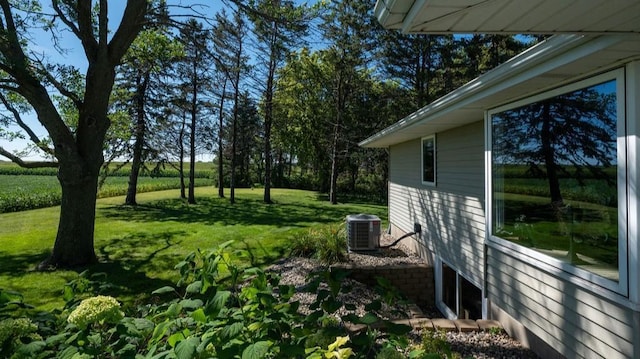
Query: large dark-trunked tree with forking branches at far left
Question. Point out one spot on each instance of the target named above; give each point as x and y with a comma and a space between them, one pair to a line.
77, 148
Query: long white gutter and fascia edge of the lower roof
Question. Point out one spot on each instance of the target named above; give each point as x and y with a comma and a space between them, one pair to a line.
554, 52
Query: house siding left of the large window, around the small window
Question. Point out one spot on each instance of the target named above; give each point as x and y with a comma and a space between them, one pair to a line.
451, 213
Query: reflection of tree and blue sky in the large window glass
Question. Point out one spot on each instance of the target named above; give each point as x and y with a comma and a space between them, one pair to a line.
569, 143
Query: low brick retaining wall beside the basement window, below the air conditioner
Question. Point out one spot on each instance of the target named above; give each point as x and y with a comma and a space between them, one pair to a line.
415, 281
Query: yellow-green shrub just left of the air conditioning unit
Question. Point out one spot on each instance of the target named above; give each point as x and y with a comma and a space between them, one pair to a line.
326, 243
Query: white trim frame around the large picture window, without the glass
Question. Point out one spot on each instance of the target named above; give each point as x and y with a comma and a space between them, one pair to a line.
566, 271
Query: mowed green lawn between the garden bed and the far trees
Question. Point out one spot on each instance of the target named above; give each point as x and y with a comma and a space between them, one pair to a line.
138, 247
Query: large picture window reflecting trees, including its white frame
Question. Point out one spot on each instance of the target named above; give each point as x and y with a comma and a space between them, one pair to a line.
556, 185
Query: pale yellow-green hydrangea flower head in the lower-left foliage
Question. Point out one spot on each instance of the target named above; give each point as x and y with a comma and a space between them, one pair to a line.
101, 309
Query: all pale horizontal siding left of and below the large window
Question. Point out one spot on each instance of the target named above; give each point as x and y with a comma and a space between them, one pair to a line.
571, 319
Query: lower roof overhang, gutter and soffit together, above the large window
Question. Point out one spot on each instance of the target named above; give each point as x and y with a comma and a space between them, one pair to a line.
558, 60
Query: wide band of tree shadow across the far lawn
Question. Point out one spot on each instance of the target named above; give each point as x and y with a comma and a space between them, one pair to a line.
218, 211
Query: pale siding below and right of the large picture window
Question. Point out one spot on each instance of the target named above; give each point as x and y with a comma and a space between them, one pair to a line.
578, 317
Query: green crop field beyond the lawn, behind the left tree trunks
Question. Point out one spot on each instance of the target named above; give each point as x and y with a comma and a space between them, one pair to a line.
23, 189
